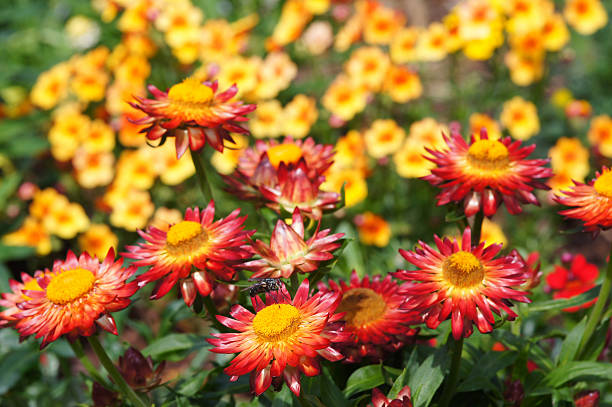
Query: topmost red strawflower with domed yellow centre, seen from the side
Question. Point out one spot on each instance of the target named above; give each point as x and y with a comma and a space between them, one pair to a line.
194, 113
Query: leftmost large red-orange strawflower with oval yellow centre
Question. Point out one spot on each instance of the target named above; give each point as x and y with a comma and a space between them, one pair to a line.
74, 295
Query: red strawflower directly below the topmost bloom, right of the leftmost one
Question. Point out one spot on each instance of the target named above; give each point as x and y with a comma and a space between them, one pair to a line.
190, 251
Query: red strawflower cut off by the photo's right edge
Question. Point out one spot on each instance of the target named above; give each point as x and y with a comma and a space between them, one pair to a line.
592, 202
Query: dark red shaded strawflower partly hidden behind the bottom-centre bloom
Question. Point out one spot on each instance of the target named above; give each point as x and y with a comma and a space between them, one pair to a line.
374, 317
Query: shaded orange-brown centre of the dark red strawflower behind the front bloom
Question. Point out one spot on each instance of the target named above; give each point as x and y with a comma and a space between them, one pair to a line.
362, 306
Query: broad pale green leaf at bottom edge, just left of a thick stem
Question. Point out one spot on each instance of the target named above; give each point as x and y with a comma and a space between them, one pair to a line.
426, 379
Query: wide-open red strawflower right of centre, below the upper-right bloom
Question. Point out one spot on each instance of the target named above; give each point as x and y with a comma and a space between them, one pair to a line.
462, 282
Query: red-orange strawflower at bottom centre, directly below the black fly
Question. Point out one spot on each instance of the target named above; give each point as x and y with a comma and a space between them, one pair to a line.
282, 339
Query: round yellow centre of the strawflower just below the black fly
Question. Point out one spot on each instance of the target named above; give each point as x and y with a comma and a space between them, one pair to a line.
276, 322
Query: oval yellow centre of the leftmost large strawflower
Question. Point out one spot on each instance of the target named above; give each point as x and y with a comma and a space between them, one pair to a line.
70, 285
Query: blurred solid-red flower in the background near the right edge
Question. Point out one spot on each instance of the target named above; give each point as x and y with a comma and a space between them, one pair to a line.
578, 279
